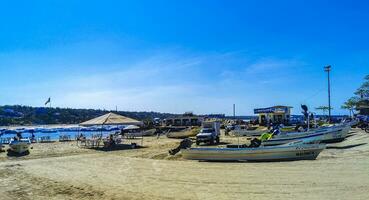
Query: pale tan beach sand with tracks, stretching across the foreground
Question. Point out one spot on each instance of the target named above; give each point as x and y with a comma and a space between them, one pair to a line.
65, 171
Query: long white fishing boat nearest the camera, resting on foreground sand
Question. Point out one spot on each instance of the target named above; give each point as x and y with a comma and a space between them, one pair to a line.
293, 151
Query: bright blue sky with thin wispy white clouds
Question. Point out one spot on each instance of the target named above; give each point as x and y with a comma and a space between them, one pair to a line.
177, 56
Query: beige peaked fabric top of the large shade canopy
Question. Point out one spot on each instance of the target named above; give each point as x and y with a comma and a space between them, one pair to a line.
111, 119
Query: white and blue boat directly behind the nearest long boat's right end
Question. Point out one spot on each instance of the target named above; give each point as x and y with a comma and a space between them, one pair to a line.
336, 133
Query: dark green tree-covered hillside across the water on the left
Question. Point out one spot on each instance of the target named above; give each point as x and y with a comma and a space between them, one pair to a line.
26, 115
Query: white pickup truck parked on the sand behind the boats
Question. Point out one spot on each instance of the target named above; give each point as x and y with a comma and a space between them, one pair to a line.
210, 133
